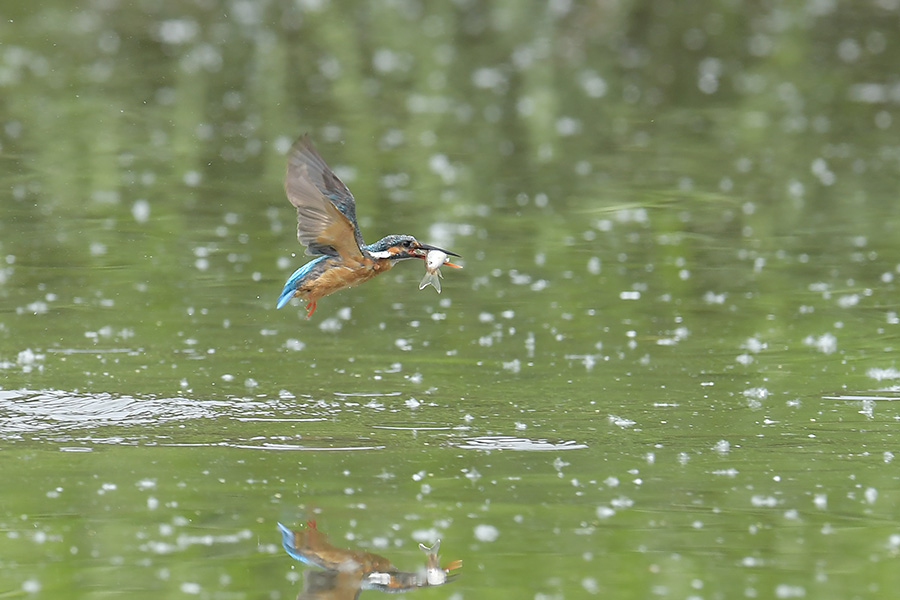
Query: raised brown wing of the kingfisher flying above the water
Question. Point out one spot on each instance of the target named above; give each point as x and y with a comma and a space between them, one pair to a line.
326, 211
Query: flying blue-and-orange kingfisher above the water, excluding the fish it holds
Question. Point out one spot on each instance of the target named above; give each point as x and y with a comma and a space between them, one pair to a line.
326, 225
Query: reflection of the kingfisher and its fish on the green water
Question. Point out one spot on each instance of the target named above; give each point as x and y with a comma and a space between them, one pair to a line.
345, 572
